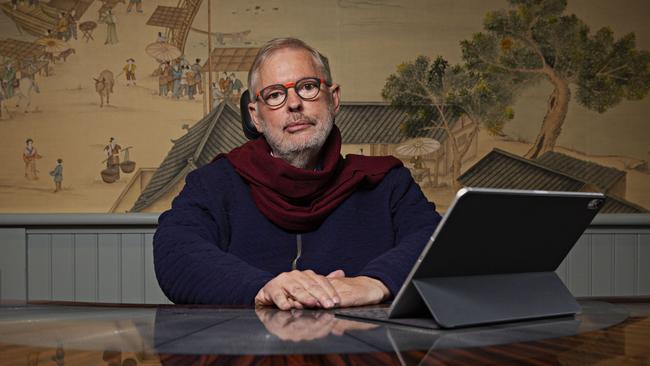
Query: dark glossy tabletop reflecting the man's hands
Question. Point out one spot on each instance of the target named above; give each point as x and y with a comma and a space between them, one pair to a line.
78, 334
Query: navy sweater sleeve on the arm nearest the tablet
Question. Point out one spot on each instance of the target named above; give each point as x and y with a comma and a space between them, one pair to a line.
414, 221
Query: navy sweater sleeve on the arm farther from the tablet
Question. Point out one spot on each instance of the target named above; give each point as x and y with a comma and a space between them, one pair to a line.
191, 266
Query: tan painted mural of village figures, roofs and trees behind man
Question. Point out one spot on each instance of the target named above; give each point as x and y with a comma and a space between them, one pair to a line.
106, 105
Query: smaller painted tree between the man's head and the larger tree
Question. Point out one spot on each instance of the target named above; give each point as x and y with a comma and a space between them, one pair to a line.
434, 95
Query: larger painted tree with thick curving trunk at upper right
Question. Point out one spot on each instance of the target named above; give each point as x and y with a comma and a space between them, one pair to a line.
535, 40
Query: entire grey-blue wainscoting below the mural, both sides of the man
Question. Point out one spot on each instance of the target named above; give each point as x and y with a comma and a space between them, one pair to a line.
109, 258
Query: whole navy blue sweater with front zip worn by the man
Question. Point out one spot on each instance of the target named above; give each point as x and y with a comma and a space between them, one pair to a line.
215, 247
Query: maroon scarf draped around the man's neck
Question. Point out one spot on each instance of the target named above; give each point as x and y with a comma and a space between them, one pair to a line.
299, 199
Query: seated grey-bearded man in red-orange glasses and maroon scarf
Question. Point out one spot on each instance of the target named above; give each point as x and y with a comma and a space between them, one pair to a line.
284, 220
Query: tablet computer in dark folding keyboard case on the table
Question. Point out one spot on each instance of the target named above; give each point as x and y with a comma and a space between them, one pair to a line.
493, 258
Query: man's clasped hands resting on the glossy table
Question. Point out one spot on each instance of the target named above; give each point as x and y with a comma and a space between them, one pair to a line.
307, 289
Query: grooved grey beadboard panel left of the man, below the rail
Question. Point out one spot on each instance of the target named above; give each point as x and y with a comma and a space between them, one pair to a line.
108, 266
